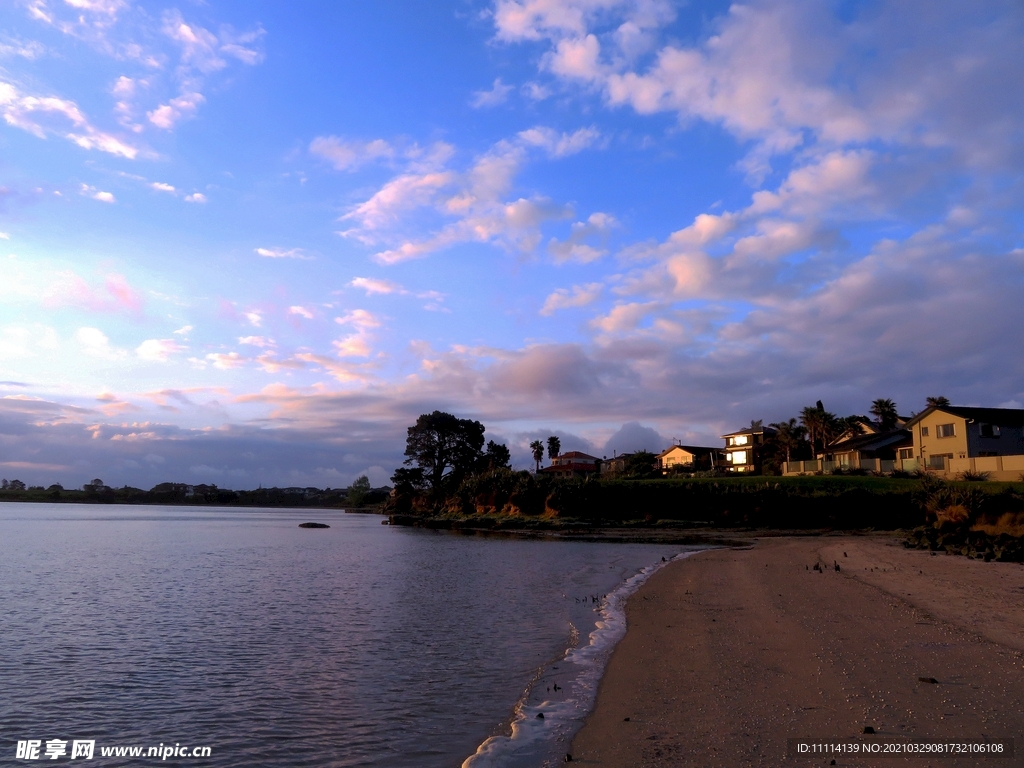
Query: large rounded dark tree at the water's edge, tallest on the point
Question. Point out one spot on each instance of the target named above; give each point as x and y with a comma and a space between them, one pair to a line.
446, 448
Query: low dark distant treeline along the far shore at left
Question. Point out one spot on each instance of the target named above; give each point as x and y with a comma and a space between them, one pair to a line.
359, 495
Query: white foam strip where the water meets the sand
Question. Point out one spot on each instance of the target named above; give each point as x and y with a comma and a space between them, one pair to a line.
537, 742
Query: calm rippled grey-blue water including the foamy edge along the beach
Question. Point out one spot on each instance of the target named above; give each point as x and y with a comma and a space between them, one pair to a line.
358, 646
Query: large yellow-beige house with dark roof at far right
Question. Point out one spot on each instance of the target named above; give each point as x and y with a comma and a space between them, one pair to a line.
956, 439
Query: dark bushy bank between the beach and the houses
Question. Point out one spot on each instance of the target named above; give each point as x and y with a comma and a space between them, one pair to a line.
793, 503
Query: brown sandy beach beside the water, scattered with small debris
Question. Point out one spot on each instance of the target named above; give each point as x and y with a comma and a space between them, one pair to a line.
733, 652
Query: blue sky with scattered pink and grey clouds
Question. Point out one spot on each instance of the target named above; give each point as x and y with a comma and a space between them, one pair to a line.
248, 243
